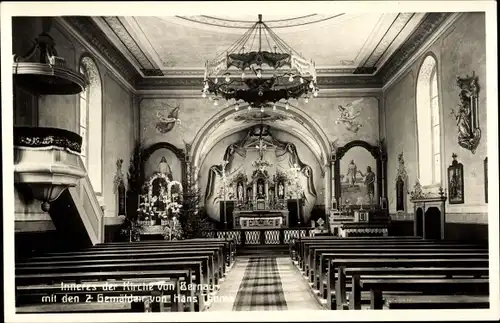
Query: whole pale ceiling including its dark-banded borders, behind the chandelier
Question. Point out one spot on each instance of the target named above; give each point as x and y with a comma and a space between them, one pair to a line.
349, 49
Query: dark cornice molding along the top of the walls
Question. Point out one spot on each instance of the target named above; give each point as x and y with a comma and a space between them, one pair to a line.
151, 78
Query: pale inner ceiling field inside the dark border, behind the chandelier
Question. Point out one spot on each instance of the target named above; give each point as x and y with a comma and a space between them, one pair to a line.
337, 42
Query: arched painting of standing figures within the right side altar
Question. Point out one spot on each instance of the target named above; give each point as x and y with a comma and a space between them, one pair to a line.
358, 178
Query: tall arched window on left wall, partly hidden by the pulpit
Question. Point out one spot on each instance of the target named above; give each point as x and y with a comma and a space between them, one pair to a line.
91, 123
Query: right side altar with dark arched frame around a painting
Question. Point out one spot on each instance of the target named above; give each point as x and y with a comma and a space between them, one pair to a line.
359, 206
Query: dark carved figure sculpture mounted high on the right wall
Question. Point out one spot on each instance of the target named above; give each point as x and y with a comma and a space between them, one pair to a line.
466, 114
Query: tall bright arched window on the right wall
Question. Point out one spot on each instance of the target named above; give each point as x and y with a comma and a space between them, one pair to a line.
428, 123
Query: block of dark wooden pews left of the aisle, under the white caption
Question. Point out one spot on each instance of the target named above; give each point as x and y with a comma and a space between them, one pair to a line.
148, 276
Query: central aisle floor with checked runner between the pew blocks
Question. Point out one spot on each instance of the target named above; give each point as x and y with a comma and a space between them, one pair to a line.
265, 283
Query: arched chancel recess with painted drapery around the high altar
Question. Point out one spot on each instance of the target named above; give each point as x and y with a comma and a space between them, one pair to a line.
268, 173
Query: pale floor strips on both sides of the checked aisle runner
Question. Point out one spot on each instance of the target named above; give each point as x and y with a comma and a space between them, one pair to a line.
297, 292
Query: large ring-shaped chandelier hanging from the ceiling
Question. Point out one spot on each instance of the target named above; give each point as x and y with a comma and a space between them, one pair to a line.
276, 72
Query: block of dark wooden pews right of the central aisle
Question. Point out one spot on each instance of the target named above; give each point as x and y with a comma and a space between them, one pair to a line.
393, 272
